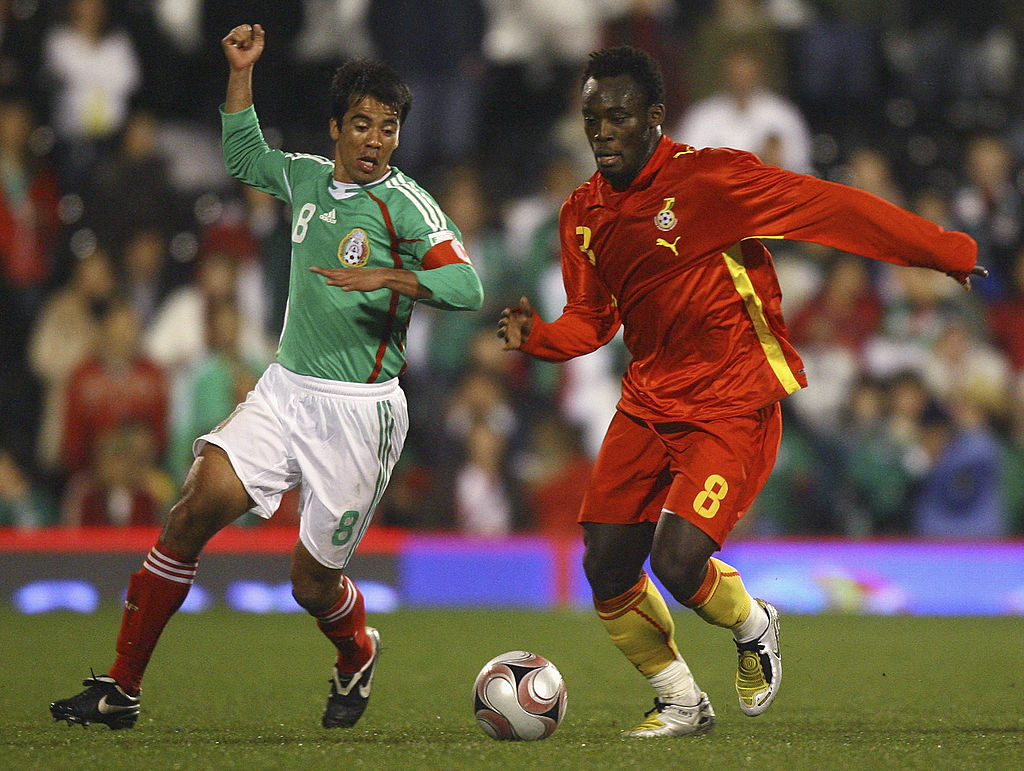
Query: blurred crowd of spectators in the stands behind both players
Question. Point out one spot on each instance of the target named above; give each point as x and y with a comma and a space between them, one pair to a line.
143, 289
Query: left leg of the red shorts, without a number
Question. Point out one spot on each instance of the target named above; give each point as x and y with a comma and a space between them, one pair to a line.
631, 476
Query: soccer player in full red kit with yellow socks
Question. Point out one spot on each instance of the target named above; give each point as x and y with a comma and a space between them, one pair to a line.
666, 241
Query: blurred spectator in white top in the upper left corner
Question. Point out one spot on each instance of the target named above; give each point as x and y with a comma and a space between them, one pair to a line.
93, 71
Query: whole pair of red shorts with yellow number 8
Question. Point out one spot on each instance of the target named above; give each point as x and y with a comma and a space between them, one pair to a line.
708, 473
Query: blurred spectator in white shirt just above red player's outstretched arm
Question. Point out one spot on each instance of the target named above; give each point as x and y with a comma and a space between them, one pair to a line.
744, 114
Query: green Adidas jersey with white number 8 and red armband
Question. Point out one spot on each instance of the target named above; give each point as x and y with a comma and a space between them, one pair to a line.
358, 337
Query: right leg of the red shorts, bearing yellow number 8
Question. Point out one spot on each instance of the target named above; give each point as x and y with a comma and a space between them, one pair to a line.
719, 467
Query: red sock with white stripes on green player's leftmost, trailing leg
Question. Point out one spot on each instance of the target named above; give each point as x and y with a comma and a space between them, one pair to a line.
155, 593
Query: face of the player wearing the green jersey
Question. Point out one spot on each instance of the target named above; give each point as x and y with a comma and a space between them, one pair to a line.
364, 142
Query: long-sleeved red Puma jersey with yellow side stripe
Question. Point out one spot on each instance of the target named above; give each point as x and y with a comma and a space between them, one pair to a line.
677, 261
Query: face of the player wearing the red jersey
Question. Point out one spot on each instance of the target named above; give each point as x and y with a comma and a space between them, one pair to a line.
622, 131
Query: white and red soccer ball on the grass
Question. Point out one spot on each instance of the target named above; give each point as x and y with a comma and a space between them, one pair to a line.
521, 697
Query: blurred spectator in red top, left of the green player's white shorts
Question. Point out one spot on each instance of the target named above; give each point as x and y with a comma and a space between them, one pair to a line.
114, 387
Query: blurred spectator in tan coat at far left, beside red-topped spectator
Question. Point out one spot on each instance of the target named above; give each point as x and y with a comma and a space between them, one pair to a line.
65, 334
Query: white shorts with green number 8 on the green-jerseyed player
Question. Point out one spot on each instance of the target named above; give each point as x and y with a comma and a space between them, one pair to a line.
340, 441
